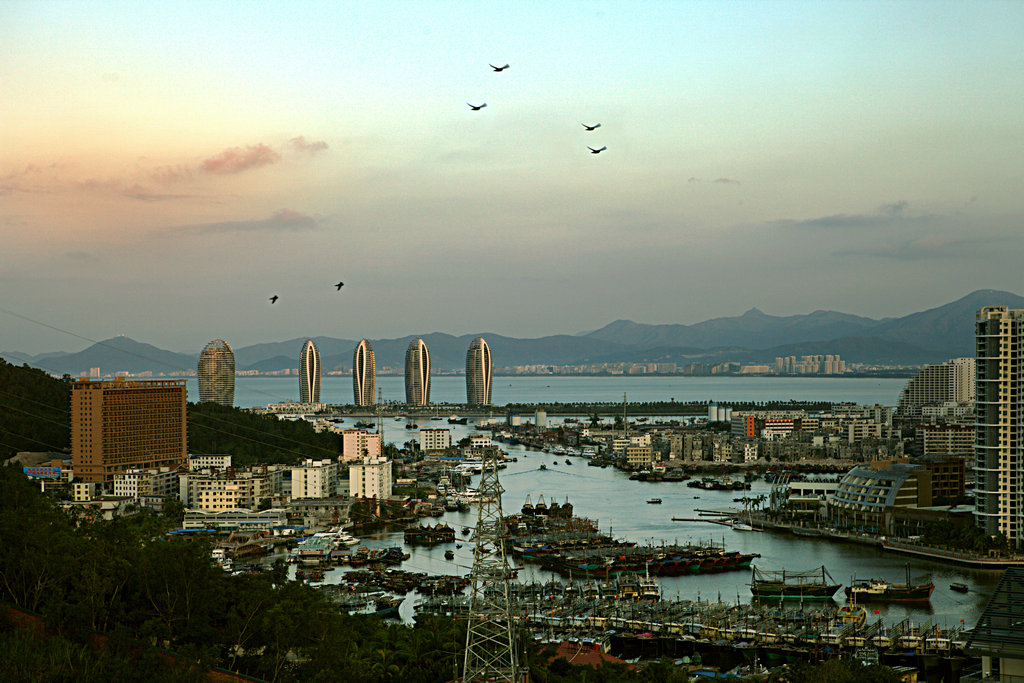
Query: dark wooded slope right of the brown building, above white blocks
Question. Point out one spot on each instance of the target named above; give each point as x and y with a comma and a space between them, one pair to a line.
252, 439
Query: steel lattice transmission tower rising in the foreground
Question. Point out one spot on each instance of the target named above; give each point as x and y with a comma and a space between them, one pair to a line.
491, 638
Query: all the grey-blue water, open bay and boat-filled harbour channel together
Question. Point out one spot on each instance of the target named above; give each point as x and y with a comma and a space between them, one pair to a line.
620, 506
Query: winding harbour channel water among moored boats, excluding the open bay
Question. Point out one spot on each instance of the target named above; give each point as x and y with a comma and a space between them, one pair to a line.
620, 506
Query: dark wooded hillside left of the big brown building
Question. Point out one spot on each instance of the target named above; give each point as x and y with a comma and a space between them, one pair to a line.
34, 411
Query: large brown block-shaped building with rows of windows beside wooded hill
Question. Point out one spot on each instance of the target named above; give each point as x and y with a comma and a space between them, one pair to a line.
121, 425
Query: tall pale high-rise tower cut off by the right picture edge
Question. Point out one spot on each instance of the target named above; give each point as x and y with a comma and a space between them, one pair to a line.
999, 413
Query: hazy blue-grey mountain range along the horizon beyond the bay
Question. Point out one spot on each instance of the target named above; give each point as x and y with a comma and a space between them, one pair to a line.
929, 336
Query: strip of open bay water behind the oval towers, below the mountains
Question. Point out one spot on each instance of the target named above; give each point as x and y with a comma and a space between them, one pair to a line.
451, 390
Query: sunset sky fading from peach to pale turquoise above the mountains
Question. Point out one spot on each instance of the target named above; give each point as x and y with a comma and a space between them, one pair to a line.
167, 167
